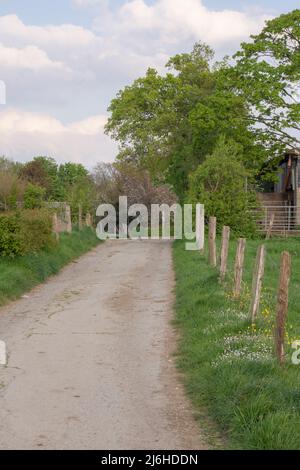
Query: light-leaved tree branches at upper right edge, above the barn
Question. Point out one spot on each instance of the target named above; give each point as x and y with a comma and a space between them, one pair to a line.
267, 75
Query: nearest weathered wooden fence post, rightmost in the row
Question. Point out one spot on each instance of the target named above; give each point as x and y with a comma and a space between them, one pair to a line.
282, 305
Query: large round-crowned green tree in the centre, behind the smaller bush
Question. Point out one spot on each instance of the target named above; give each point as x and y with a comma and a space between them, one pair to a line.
167, 124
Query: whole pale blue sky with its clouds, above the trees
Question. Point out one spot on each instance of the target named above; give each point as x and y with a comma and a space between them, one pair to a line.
63, 61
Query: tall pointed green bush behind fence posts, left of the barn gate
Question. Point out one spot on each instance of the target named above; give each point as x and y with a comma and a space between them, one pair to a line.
219, 183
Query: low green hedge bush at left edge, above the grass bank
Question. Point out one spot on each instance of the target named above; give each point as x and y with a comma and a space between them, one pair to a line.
24, 232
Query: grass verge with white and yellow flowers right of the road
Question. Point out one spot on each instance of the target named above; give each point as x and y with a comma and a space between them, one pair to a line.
230, 370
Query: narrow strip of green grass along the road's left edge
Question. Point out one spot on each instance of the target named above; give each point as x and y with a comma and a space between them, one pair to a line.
20, 274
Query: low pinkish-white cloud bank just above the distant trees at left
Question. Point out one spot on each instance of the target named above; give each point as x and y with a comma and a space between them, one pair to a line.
25, 134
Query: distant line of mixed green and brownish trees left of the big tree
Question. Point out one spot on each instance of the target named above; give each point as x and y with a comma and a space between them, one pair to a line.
30, 185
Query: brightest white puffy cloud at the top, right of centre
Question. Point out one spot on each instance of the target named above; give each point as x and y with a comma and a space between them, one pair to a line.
173, 21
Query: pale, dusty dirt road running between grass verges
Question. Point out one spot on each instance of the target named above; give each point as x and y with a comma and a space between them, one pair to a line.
90, 357
